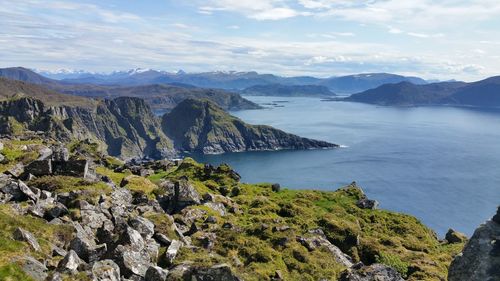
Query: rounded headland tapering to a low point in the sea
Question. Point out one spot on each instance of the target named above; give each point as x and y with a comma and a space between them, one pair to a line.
202, 126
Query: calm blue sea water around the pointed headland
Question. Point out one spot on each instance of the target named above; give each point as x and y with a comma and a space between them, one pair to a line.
440, 164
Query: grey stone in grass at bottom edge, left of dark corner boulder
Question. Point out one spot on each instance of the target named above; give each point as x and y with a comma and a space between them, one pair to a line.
374, 272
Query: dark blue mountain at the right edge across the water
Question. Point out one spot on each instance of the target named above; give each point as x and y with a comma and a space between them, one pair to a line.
484, 93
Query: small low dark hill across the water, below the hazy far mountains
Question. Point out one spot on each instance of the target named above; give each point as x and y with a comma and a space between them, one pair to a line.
288, 91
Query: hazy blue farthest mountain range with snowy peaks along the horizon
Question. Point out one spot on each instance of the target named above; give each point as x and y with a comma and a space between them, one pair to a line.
233, 80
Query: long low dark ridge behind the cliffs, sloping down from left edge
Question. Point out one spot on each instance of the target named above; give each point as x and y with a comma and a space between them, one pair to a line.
161, 97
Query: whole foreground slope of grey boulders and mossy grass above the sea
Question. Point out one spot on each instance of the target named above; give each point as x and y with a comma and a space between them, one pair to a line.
74, 213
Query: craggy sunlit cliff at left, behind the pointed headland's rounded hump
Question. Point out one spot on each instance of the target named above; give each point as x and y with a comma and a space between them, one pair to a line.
125, 127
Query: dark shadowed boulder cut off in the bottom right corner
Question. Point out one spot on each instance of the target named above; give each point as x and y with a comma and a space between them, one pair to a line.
480, 259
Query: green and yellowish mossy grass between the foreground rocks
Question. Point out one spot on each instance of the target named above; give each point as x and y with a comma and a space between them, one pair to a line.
395, 239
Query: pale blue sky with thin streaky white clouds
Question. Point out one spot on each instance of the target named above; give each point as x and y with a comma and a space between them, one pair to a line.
447, 39
